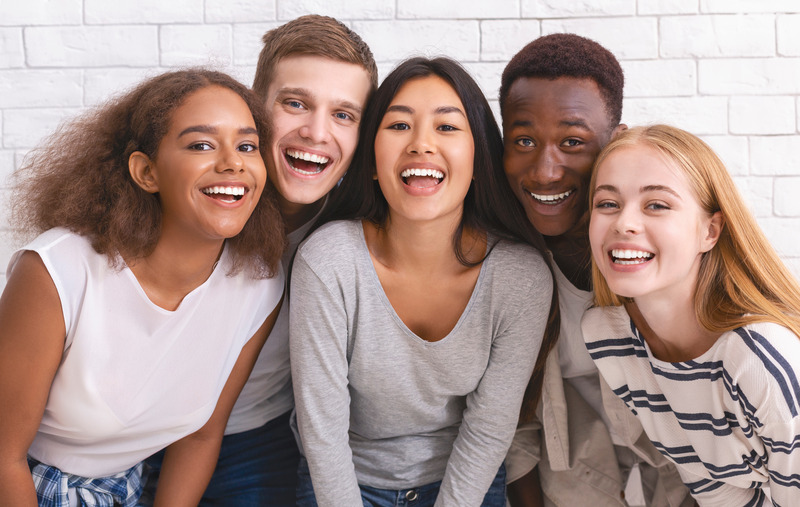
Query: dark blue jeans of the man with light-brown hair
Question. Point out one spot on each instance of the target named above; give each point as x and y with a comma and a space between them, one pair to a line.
255, 468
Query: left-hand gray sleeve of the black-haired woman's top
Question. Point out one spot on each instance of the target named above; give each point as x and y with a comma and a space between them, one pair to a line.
318, 352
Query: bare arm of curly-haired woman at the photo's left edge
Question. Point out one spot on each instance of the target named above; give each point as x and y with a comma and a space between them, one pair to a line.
32, 338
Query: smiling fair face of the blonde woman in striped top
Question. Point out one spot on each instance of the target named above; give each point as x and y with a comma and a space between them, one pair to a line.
647, 230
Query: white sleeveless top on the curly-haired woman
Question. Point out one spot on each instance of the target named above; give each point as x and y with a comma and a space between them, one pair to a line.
135, 377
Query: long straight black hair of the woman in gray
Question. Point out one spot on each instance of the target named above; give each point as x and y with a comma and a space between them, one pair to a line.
489, 206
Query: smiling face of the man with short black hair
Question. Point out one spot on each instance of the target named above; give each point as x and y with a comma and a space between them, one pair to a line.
552, 133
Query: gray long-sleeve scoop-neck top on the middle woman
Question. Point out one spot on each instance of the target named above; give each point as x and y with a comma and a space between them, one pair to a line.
379, 406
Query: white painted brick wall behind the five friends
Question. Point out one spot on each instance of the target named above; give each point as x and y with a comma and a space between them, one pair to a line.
728, 70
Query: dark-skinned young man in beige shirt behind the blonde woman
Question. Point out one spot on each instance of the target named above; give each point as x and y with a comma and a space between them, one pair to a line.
561, 102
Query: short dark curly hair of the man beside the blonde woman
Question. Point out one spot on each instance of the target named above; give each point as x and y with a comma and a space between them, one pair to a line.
568, 55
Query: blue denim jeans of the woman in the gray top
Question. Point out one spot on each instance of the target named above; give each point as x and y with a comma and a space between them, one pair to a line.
422, 496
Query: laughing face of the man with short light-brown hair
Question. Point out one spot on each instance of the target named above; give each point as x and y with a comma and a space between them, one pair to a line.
316, 105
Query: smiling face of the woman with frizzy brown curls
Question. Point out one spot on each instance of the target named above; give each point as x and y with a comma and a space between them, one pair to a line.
207, 171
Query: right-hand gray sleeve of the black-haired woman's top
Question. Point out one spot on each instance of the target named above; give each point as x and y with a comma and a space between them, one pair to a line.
492, 409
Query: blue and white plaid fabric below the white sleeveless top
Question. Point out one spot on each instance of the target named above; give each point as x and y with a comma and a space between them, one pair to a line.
122, 489
